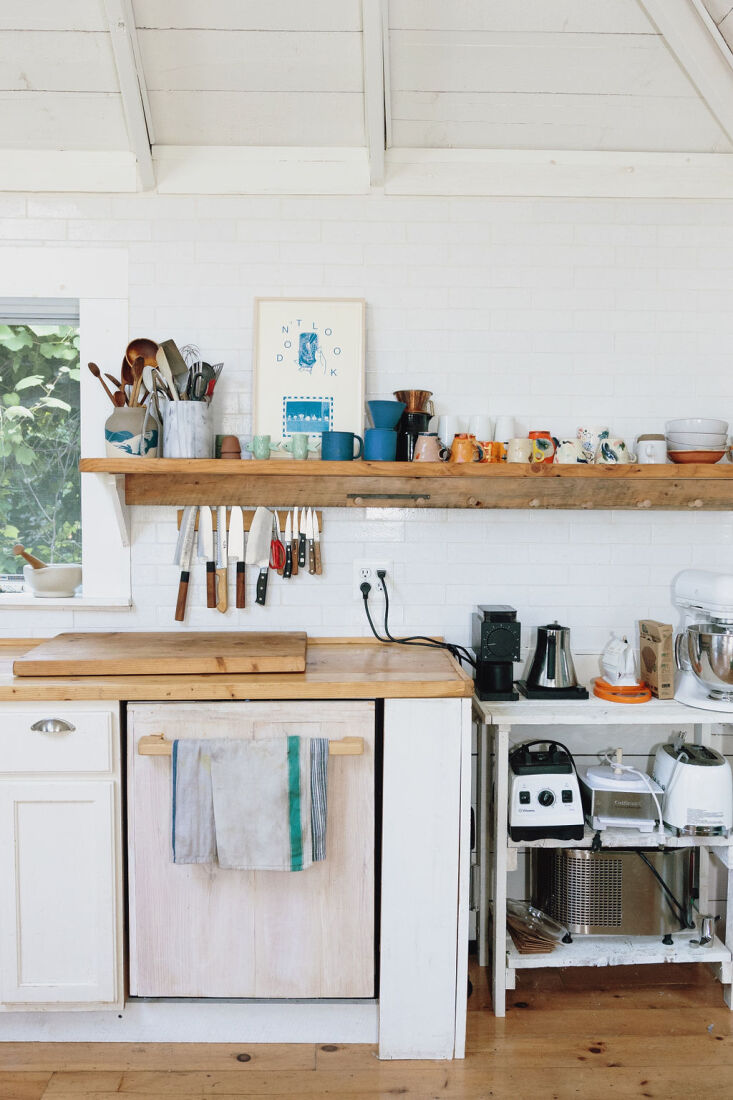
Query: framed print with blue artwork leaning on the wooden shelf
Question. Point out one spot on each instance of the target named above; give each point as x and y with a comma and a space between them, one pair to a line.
309, 366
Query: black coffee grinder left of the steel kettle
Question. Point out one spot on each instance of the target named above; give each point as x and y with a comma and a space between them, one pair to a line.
496, 637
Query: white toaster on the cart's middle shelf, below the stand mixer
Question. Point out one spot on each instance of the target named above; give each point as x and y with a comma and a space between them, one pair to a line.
698, 789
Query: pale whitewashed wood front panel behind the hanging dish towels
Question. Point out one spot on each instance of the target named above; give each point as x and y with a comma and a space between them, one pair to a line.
199, 931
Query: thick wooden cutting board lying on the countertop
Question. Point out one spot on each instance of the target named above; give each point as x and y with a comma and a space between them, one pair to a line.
139, 655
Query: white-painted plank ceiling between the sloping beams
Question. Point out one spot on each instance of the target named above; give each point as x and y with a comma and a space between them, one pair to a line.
573, 75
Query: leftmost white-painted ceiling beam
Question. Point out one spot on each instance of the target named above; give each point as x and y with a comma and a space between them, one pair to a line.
136, 106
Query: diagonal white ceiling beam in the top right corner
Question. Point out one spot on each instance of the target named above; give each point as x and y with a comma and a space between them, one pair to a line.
701, 50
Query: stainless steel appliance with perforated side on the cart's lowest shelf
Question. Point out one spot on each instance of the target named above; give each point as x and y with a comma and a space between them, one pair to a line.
615, 892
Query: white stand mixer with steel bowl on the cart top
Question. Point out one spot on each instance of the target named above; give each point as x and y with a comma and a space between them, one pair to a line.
704, 647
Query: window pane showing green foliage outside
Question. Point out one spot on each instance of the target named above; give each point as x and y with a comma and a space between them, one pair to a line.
40, 438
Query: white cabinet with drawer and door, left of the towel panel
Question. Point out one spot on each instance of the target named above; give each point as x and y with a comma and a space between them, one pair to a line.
60, 856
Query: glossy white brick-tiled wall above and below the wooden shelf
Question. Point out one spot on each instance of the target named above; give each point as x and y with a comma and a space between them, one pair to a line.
559, 312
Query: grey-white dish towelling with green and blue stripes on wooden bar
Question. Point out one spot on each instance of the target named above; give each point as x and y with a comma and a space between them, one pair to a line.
250, 806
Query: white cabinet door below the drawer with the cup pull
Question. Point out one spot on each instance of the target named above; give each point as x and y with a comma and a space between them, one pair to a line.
58, 918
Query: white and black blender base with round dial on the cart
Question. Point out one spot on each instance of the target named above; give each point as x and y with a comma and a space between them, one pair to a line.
544, 797
